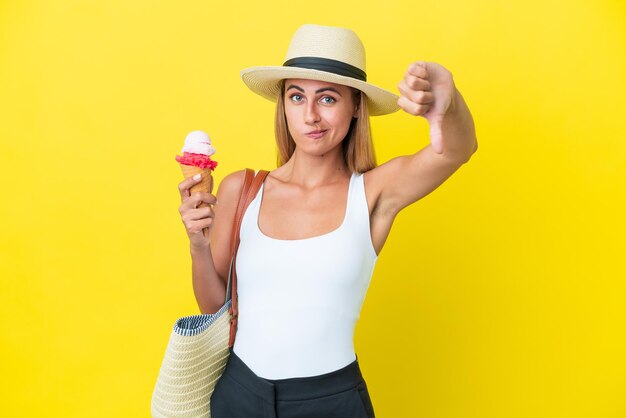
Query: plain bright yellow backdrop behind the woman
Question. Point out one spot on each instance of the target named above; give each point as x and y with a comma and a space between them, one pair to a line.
499, 295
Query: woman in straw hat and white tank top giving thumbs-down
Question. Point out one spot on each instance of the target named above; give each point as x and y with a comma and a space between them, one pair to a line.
312, 235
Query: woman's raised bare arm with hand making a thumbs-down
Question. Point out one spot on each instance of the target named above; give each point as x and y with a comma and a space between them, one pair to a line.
406, 179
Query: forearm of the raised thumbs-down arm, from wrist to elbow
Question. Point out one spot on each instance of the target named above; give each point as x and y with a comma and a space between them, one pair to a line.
458, 131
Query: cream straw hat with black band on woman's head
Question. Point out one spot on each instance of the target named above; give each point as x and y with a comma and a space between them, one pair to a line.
324, 53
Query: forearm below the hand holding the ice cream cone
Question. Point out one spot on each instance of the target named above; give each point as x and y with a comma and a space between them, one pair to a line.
208, 288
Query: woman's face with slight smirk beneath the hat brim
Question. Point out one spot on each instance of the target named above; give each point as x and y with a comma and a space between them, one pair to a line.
318, 113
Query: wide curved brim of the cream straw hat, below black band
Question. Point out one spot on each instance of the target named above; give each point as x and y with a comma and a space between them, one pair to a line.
265, 81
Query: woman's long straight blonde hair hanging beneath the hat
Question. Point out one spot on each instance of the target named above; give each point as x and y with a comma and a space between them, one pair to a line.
358, 149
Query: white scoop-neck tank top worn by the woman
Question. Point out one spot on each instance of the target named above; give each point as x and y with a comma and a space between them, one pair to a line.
299, 300
